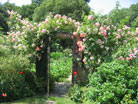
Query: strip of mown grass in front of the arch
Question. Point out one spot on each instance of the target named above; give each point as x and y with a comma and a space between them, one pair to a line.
42, 100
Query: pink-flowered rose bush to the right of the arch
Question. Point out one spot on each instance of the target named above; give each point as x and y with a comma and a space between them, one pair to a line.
103, 40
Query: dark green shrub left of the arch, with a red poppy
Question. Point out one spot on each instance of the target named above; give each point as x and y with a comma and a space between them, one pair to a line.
17, 80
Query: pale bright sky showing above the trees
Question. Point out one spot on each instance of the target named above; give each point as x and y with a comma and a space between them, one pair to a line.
103, 6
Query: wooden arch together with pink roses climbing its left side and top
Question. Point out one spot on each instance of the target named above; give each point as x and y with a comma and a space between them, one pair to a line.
36, 39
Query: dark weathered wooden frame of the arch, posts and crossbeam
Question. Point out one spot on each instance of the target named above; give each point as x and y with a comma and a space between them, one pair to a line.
43, 65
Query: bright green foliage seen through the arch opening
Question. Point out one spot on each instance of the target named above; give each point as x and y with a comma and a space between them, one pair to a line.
61, 65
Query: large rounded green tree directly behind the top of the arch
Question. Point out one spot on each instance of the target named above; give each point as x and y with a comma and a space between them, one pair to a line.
71, 8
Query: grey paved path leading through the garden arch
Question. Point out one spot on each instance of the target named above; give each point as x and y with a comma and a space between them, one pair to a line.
61, 89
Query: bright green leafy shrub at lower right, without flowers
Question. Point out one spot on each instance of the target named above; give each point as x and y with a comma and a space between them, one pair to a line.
112, 83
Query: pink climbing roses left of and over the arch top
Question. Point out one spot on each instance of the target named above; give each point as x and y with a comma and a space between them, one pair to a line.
30, 37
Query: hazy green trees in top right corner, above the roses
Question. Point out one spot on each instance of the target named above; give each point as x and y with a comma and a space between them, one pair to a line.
118, 15
